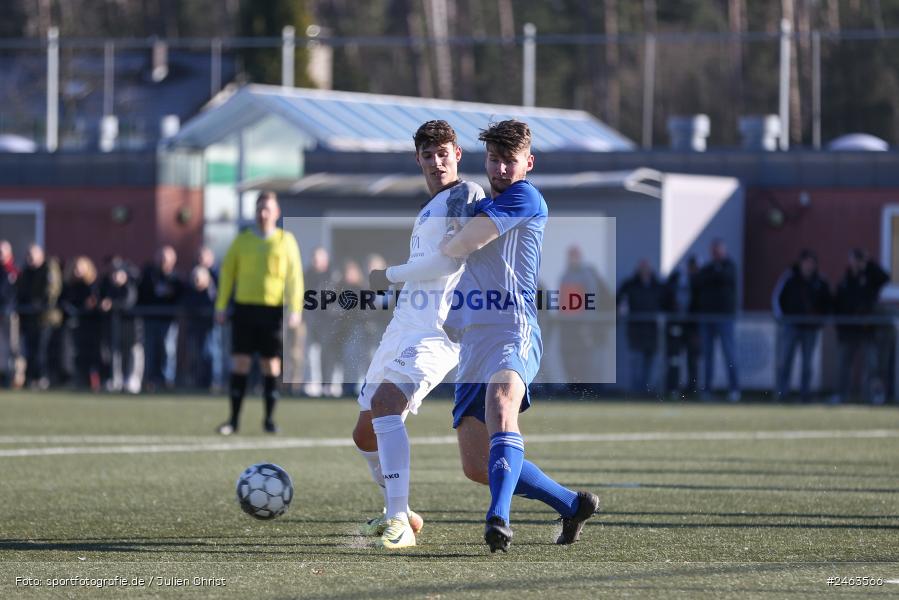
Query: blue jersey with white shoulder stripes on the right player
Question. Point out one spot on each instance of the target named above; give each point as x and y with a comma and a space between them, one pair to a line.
499, 284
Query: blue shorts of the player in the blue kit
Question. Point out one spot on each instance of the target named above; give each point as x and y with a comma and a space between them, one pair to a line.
486, 350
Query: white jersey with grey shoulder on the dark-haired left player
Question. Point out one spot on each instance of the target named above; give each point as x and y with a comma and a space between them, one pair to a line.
425, 304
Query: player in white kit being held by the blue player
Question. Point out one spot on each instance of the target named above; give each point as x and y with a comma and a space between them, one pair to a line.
415, 353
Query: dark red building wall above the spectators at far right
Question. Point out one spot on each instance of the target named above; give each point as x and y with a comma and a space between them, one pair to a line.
832, 222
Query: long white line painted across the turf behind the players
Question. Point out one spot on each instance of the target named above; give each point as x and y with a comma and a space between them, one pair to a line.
284, 443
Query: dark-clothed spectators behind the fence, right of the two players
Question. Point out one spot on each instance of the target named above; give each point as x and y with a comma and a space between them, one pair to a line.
698, 307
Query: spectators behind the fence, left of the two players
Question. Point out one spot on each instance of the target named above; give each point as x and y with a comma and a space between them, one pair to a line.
132, 330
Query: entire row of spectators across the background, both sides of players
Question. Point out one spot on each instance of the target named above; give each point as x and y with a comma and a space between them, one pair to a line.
121, 328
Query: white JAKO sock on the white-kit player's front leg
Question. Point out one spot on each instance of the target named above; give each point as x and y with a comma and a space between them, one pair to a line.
393, 450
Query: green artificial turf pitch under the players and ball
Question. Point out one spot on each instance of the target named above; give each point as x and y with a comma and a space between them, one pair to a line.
139, 487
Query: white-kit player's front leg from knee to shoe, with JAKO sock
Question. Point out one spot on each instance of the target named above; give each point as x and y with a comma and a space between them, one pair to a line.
387, 407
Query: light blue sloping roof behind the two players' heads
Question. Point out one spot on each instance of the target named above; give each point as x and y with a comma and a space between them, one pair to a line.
352, 121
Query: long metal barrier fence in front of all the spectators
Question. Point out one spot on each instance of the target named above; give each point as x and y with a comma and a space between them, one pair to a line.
175, 349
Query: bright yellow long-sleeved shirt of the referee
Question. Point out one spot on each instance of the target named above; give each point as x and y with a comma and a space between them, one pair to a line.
264, 271
